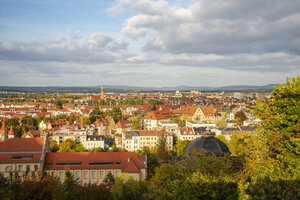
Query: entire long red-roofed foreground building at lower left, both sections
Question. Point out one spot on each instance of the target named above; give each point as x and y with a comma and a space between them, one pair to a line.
29, 156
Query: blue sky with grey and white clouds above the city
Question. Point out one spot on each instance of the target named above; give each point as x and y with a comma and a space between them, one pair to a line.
148, 42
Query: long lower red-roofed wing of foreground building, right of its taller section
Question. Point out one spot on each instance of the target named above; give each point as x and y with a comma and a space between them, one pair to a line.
93, 167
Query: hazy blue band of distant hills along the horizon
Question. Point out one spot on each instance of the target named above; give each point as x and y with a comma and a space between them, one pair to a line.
125, 88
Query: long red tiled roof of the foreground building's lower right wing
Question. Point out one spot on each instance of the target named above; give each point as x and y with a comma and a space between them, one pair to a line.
86, 159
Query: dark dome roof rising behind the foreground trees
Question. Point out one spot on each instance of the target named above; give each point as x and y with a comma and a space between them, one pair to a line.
208, 146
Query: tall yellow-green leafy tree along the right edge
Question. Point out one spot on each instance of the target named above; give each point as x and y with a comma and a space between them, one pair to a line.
279, 140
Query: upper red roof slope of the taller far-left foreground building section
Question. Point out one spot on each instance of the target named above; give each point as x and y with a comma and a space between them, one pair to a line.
22, 145
